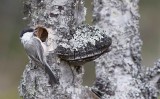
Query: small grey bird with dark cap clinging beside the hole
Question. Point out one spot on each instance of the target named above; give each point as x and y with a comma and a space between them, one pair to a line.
36, 50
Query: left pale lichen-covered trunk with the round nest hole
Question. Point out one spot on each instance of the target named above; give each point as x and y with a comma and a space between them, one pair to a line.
59, 17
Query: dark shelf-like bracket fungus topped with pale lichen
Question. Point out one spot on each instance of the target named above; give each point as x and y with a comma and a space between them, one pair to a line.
88, 43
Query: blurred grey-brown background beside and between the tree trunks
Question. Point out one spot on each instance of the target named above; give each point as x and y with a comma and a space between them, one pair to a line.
13, 58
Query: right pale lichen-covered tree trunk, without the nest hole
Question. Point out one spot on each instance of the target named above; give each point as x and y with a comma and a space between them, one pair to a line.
119, 73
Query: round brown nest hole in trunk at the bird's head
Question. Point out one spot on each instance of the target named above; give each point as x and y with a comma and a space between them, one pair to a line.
42, 33
